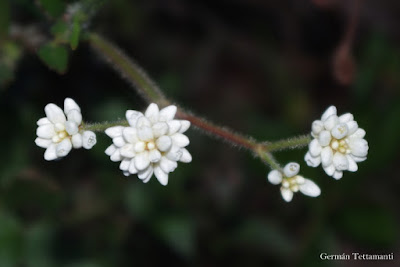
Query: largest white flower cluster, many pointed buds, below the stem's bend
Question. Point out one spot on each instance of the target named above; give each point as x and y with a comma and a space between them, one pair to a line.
153, 143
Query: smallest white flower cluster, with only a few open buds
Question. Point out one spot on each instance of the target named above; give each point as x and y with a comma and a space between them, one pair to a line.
291, 182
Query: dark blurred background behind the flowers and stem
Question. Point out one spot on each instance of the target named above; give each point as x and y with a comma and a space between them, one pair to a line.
263, 68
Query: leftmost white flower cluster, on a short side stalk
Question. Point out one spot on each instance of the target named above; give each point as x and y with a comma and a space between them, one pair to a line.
60, 131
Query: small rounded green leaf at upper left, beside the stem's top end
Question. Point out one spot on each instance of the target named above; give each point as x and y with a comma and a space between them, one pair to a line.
56, 57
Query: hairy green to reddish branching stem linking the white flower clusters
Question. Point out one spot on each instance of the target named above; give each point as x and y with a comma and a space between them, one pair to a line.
145, 86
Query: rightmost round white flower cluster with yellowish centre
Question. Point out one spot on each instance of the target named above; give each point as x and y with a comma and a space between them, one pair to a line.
338, 144
